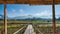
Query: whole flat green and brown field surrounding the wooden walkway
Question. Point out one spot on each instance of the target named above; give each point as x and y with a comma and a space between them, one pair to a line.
43, 25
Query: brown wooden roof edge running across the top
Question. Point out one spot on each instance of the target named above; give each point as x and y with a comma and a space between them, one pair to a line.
34, 2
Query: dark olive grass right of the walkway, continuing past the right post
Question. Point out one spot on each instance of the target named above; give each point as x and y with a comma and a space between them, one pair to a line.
49, 30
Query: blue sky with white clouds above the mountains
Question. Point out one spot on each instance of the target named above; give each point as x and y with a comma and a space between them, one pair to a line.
43, 11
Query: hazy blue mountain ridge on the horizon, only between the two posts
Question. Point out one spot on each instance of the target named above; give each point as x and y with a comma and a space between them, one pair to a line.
28, 17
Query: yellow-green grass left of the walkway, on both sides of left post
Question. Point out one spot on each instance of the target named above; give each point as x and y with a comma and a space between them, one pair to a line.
11, 28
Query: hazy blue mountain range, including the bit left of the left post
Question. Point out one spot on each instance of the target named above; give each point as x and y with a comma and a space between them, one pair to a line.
28, 17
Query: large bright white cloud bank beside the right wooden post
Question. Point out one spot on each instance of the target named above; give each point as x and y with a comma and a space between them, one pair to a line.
44, 14
